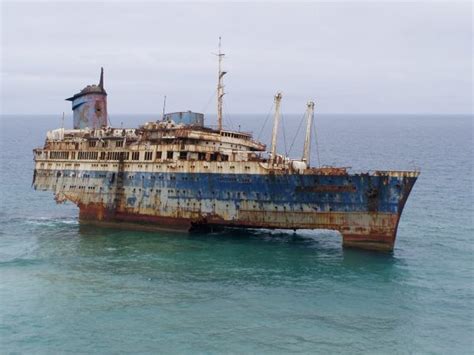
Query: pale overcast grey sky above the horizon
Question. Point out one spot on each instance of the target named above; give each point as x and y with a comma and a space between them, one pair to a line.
358, 57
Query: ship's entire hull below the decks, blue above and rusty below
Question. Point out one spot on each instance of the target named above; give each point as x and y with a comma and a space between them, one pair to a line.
364, 208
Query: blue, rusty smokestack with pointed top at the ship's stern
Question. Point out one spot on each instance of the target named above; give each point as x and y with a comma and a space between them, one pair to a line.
89, 106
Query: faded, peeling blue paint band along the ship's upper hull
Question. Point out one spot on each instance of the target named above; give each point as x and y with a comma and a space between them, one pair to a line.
325, 193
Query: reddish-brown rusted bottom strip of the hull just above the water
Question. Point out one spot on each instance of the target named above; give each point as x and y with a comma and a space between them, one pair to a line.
372, 231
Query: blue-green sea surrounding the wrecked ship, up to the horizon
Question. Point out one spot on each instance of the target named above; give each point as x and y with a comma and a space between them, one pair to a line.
72, 288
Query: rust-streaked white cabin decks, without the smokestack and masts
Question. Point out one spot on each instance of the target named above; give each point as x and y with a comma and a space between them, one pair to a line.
161, 140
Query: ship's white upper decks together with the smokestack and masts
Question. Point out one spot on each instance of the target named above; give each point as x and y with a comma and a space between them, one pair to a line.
177, 136
